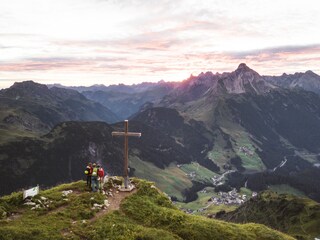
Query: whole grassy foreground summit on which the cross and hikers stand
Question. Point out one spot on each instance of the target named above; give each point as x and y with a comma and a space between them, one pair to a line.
145, 214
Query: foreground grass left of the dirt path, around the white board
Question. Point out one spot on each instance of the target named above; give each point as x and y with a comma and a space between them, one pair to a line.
47, 223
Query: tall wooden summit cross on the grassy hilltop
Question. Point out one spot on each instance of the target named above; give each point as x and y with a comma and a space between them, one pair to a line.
126, 134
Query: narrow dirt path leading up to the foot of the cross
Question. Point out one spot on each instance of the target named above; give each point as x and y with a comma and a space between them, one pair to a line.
114, 202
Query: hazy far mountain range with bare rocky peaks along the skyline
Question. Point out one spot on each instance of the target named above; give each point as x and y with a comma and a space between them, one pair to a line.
126, 100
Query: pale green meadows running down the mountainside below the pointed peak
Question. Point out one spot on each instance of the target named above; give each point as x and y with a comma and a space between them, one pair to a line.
221, 152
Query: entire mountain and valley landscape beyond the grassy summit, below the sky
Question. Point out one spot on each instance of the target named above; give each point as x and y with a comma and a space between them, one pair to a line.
209, 142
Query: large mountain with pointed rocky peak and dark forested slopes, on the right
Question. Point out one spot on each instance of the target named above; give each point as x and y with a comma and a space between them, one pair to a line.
251, 126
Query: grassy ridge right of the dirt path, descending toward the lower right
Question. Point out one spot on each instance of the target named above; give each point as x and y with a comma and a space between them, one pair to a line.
158, 212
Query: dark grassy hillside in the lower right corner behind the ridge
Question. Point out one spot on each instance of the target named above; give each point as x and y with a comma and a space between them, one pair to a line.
299, 217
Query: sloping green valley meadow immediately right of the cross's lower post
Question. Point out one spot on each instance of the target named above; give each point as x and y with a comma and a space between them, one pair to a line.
171, 180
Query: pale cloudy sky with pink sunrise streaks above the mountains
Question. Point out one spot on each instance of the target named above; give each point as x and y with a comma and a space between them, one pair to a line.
86, 42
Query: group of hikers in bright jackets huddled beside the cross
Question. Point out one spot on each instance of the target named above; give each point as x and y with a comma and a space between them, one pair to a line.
95, 174
